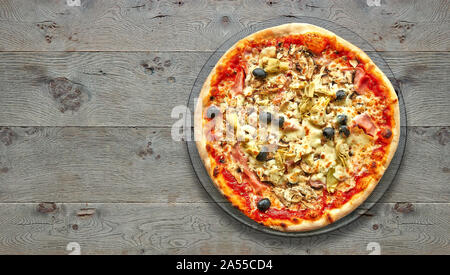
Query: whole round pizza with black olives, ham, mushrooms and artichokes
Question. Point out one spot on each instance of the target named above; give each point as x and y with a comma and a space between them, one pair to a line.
296, 126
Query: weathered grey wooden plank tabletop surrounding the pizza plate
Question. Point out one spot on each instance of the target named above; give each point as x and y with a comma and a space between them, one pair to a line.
86, 154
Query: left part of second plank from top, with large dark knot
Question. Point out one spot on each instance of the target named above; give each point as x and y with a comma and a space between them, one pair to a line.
116, 89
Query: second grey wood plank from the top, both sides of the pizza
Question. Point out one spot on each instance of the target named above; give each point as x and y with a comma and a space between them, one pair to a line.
141, 89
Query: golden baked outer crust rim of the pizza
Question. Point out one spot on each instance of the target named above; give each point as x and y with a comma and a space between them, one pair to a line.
328, 216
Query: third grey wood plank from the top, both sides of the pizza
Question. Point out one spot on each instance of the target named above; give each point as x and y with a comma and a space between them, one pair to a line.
72, 164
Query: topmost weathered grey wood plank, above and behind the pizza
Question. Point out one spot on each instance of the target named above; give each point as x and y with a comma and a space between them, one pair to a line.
140, 25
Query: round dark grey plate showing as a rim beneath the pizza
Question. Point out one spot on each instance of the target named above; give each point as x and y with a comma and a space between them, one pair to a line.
348, 35
